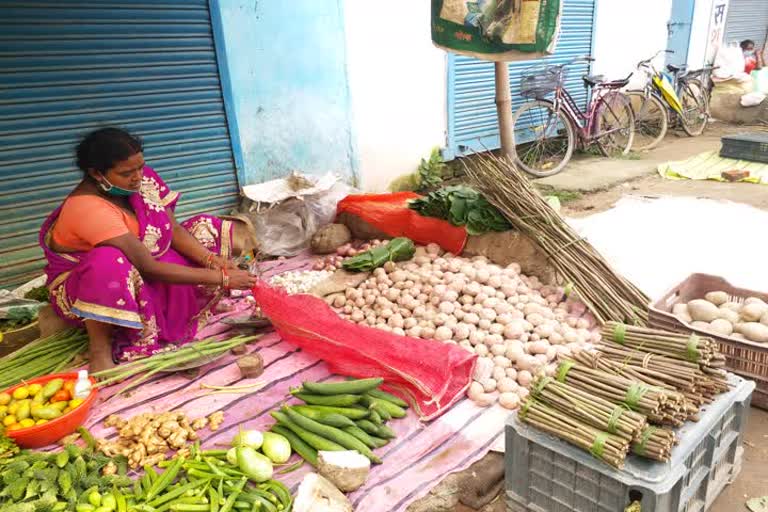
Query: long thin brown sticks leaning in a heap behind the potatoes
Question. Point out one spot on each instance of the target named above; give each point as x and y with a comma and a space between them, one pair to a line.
608, 295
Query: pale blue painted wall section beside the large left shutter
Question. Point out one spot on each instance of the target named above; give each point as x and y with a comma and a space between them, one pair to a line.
290, 95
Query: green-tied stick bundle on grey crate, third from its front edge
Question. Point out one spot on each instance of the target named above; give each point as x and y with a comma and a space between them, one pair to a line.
661, 406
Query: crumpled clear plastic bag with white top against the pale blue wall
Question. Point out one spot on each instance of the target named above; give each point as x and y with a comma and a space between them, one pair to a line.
285, 216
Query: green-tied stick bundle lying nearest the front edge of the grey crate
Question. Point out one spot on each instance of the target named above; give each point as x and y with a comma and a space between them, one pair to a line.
602, 445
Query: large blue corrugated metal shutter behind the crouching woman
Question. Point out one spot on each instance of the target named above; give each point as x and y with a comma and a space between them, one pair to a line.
69, 66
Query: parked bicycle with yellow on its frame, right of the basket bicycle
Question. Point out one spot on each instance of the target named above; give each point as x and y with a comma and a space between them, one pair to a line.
684, 96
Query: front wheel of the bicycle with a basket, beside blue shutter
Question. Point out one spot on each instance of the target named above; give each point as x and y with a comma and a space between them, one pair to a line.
545, 138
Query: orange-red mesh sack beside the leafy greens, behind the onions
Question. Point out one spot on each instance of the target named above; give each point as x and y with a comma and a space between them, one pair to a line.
390, 214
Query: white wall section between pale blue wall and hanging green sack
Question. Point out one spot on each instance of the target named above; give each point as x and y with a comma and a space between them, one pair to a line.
397, 80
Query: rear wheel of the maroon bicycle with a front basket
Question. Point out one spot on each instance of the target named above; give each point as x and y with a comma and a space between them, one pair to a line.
614, 125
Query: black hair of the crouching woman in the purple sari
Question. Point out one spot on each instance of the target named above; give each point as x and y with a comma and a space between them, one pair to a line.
101, 149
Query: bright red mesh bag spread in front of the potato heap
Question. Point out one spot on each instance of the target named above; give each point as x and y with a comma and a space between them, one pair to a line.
430, 375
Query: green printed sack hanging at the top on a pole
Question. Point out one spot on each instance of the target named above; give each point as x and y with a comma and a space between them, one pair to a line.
498, 30
